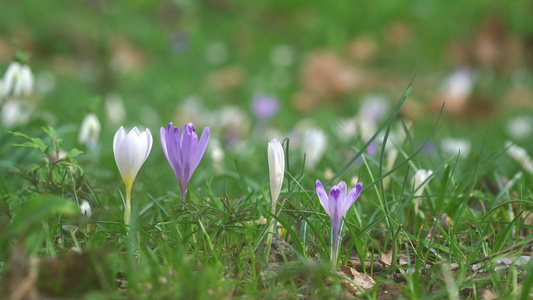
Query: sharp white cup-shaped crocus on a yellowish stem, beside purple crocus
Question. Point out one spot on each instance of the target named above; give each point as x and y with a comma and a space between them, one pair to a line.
131, 151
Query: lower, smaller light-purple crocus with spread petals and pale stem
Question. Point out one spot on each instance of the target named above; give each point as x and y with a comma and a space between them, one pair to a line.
336, 205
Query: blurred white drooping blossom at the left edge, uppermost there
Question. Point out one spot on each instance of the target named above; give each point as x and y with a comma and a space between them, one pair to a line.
18, 81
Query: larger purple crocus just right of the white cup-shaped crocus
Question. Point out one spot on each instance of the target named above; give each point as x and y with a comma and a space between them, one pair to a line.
184, 152
